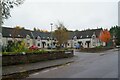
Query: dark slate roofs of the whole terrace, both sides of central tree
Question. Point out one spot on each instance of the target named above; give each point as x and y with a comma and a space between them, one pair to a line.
44, 35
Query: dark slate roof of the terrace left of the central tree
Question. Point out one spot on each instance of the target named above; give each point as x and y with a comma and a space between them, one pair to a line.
6, 32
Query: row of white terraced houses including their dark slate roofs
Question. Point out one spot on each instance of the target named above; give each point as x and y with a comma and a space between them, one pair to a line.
86, 38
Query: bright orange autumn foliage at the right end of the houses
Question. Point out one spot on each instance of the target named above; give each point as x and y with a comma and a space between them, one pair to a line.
105, 36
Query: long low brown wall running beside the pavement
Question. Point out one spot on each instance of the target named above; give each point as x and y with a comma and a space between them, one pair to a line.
29, 57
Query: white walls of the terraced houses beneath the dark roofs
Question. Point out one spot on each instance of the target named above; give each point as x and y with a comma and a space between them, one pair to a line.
72, 43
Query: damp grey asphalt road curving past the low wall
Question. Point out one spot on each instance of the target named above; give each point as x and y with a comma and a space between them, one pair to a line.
87, 65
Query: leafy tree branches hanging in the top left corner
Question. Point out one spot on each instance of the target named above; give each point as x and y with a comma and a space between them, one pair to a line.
5, 7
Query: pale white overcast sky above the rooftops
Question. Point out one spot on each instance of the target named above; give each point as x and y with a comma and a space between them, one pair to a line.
75, 14
